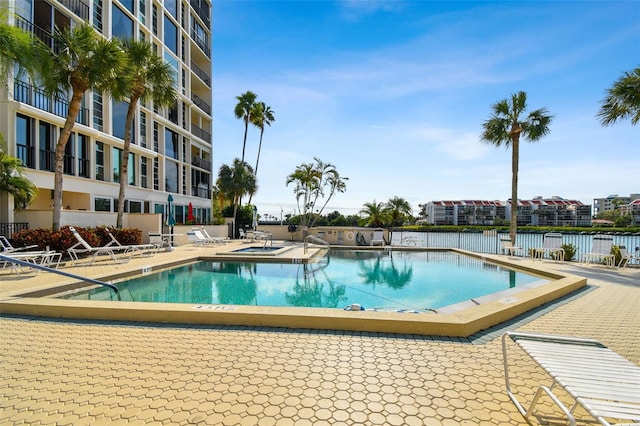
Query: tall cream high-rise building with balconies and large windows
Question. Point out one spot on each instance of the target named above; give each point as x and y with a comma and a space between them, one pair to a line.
171, 148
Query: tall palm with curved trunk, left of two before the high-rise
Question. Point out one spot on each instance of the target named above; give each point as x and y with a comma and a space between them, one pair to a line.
83, 61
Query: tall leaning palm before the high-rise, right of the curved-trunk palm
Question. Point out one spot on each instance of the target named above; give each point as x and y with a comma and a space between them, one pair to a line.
148, 77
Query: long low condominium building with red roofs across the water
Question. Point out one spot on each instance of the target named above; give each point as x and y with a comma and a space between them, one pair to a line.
553, 211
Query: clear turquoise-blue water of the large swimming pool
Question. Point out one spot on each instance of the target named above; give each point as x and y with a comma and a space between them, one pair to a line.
398, 280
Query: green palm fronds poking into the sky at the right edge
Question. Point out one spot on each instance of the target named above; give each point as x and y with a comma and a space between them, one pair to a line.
623, 100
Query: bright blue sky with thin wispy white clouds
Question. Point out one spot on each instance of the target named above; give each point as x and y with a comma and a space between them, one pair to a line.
394, 94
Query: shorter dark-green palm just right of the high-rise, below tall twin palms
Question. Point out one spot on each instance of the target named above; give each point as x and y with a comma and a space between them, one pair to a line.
234, 182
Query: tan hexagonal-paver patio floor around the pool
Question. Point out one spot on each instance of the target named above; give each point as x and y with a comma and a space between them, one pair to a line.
78, 372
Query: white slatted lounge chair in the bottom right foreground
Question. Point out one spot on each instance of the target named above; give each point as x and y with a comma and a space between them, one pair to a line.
604, 383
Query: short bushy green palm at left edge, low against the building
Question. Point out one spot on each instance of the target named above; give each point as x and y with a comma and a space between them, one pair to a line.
12, 179
